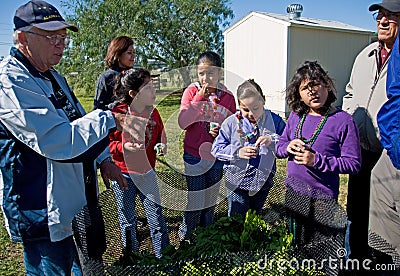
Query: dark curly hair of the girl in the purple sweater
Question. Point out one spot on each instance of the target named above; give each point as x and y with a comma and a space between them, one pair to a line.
314, 73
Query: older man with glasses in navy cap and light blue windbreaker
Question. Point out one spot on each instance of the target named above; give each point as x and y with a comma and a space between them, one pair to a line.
49, 147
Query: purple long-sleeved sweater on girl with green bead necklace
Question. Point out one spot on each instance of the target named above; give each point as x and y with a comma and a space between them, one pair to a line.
337, 151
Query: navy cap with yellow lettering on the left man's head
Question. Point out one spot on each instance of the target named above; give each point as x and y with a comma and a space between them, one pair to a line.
42, 15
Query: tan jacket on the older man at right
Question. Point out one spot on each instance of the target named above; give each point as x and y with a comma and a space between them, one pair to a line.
365, 94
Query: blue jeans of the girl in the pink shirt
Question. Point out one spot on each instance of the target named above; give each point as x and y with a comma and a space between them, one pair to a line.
204, 177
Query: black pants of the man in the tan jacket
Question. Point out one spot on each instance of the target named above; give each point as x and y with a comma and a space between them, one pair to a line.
358, 205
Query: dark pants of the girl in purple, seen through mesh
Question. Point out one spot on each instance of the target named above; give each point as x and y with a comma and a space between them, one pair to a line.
318, 226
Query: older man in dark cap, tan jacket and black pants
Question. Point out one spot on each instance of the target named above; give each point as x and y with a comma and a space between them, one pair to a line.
365, 96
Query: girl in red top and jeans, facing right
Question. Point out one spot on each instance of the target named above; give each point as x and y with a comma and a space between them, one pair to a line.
133, 151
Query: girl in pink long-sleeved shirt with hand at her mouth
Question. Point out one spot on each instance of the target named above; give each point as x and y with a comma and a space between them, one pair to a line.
204, 106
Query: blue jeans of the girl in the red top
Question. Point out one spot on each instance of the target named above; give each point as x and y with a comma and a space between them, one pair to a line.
145, 186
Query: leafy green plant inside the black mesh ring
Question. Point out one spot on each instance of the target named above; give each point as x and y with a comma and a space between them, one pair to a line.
199, 254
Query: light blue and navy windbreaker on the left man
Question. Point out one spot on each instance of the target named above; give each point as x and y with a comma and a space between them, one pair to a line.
41, 152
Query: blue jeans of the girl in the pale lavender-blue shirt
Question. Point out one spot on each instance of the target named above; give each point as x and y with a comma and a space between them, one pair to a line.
240, 201
